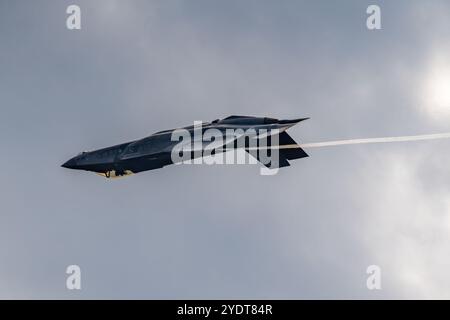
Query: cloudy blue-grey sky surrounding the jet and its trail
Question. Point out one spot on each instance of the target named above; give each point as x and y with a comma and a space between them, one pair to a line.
138, 67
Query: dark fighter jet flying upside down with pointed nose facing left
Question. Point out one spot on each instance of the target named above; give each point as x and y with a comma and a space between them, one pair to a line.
156, 151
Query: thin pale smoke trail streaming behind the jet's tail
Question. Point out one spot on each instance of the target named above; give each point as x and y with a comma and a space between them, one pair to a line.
376, 140
